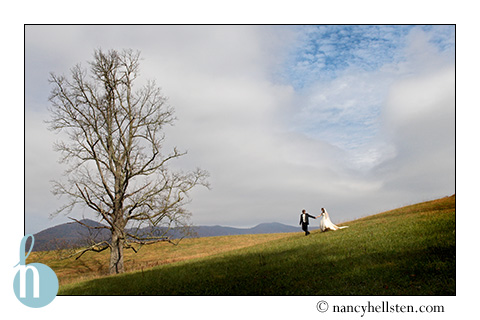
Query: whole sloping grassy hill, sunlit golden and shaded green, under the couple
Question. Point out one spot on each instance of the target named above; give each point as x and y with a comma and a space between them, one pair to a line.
407, 251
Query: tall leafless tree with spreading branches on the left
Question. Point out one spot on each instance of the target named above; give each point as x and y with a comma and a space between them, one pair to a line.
114, 152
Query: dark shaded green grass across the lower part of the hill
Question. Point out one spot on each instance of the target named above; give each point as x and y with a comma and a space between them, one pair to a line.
309, 271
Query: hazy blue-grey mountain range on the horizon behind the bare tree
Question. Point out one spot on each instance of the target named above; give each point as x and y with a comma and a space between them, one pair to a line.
73, 234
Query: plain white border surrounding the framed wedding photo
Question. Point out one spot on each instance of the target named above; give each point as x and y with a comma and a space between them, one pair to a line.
15, 15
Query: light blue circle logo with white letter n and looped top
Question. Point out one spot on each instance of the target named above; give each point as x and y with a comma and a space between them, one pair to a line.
35, 284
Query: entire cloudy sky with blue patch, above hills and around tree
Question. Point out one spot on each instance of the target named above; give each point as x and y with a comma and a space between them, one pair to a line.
358, 119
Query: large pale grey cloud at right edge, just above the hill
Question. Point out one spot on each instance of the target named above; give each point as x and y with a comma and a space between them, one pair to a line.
420, 117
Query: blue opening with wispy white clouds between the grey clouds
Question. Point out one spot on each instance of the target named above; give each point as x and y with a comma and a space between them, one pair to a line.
364, 61
